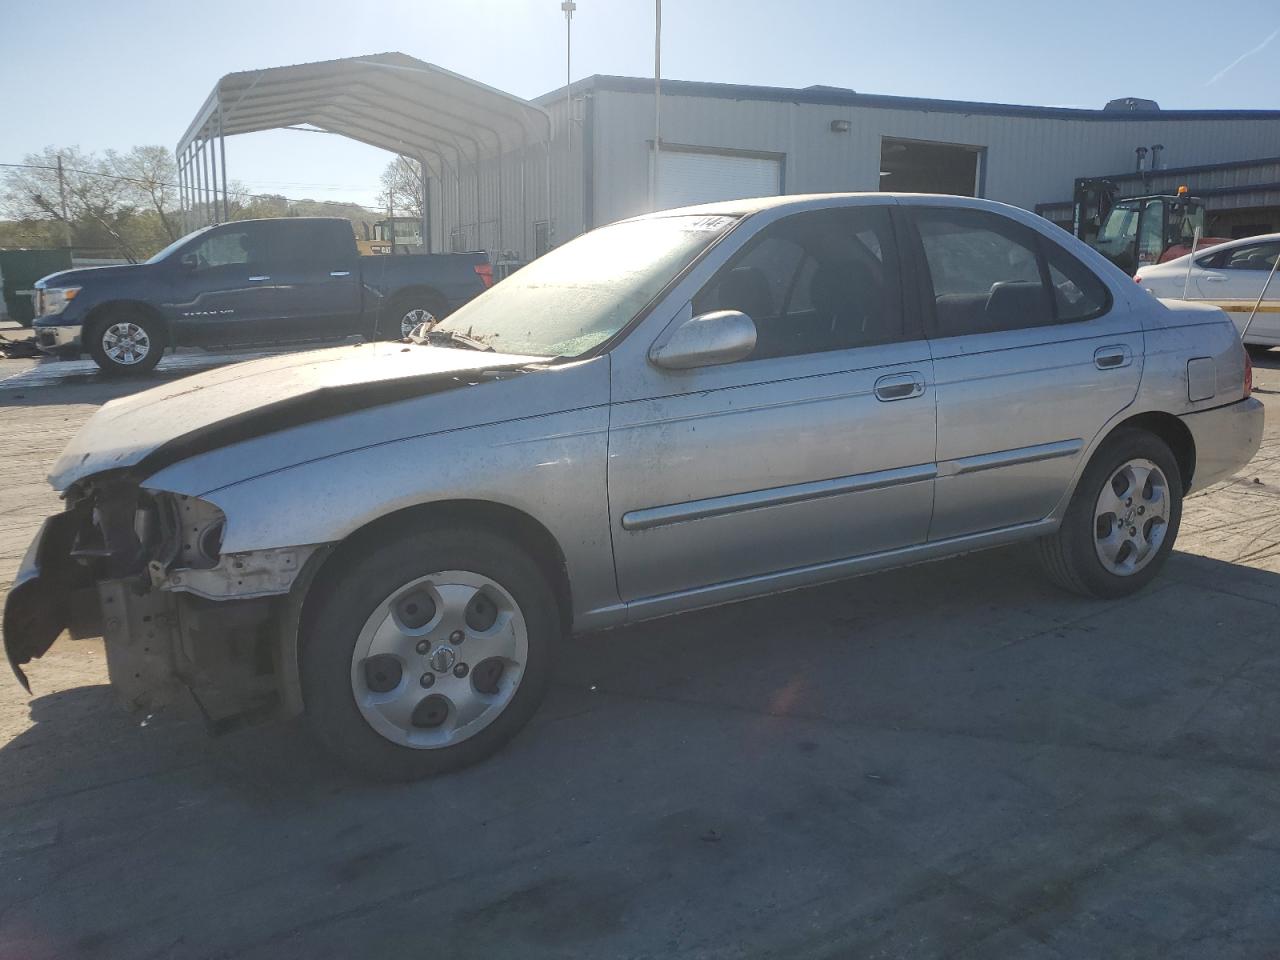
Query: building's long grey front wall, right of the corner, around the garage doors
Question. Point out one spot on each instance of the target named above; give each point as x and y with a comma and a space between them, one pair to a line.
1027, 161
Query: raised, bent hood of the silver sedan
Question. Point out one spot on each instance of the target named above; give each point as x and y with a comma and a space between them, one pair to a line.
245, 400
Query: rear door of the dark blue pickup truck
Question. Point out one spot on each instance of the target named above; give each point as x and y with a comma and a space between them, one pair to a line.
317, 276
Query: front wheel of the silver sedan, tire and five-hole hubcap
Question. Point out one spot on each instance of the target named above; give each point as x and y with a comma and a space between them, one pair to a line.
429, 655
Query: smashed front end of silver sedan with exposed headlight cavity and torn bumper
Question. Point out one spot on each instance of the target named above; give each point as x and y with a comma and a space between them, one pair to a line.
145, 572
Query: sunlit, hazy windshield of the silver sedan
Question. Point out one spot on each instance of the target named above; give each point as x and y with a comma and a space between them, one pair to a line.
580, 295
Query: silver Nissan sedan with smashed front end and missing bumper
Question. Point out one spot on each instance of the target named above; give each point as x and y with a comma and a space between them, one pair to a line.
674, 412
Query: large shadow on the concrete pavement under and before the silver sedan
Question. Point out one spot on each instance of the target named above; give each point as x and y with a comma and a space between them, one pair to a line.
948, 761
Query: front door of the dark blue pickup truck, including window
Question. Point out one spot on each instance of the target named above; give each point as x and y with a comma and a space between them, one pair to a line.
221, 287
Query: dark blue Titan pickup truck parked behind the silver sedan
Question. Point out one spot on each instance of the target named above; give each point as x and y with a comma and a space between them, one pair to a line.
249, 282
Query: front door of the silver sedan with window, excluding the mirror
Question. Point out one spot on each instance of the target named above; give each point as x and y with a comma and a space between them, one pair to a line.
817, 447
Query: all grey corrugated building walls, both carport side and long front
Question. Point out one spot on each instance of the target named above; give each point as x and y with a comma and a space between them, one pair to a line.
1027, 161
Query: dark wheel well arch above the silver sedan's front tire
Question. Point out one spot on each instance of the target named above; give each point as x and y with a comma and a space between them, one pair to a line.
497, 518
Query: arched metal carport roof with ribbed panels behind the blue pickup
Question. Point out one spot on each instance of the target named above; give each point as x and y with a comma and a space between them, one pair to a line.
446, 122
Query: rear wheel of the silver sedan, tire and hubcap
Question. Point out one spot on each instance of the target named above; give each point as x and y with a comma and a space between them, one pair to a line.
1122, 522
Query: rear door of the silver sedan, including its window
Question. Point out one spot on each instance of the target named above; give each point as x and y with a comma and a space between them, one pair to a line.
1032, 359
